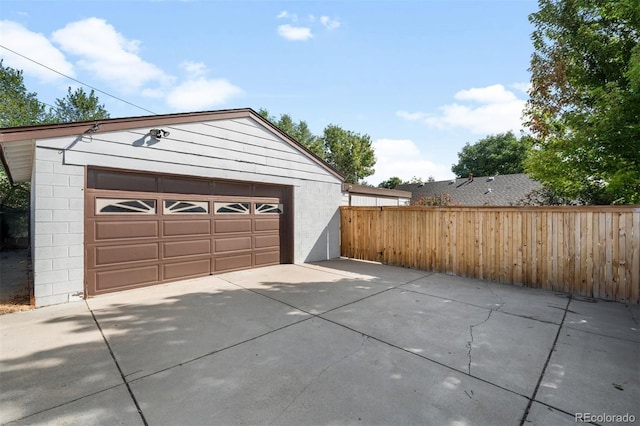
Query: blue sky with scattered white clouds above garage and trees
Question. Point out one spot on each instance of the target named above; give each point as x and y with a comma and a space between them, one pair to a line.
422, 77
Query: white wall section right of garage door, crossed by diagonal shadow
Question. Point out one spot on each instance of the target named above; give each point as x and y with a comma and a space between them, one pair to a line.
317, 221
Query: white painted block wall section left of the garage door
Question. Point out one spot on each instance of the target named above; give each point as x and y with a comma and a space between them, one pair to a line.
57, 229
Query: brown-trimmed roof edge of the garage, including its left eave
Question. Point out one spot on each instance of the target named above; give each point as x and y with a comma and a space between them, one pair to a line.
17, 143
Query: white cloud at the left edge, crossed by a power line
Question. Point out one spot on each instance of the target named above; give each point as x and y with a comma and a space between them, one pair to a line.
35, 46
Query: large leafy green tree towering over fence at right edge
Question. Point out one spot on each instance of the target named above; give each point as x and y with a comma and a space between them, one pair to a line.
584, 106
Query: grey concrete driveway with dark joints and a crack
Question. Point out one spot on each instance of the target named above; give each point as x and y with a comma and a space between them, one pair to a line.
337, 342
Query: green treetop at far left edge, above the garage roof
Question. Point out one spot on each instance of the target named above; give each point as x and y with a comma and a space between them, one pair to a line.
18, 107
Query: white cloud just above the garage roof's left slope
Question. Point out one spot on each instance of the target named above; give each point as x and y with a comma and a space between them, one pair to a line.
201, 93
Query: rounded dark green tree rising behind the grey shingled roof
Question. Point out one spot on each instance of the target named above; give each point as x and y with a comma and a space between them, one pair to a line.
499, 154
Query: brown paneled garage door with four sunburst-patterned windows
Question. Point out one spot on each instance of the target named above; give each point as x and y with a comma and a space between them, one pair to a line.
137, 239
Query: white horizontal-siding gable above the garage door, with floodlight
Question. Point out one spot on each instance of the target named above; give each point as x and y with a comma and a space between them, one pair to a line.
229, 149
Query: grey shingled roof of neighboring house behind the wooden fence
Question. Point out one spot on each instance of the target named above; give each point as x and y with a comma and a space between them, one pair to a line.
501, 190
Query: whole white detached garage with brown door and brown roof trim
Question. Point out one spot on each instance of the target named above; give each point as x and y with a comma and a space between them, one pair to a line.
132, 202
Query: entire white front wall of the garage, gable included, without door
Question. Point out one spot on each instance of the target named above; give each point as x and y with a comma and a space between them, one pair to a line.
238, 149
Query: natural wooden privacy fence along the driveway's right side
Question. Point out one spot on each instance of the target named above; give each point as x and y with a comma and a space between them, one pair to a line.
587, 250
